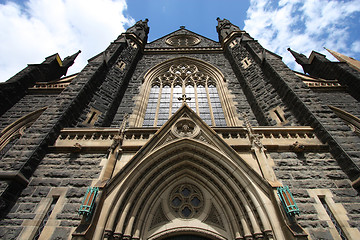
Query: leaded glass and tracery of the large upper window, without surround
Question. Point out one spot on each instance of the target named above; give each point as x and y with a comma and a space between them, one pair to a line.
179, 79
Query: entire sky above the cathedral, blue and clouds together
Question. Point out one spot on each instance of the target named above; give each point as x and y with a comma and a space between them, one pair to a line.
34, 29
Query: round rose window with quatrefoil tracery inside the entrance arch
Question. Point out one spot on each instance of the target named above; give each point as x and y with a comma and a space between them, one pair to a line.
186, 201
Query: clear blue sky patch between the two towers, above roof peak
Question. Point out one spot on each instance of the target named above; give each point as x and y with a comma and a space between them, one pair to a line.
199, 16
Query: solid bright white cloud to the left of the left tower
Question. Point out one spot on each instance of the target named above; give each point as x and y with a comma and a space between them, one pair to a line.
39, 28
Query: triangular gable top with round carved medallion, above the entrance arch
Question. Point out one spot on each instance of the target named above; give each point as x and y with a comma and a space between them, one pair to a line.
186, 130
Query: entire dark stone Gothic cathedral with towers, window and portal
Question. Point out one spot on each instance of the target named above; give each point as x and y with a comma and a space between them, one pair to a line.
182, 138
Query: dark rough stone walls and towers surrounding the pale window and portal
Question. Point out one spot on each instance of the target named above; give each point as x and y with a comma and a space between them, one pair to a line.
33, 171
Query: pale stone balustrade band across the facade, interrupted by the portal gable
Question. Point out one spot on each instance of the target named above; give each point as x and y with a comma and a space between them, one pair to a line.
273, 138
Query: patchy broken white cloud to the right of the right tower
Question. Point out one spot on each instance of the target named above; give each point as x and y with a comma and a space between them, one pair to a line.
303, 25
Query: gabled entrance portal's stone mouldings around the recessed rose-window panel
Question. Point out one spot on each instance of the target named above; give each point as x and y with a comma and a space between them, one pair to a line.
247, 199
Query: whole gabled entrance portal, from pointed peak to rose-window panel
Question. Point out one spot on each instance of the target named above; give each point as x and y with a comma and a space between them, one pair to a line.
186, 153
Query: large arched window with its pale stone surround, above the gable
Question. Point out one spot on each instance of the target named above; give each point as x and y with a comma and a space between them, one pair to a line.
203, 85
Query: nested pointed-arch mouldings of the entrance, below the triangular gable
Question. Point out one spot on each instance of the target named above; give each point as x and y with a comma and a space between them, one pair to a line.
245, 199
